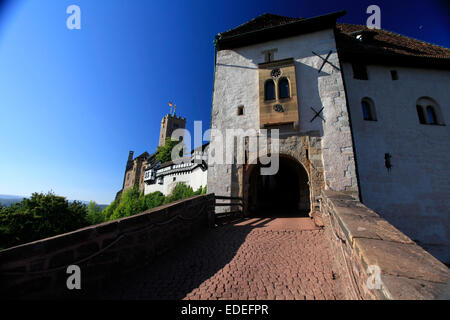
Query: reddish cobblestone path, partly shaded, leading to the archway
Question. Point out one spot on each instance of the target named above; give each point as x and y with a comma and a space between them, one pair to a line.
265, 258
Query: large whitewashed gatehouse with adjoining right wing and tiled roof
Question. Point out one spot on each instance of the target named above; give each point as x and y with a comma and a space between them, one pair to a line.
358, 110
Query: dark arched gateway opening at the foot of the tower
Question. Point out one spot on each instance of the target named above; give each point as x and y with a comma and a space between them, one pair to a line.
284, 194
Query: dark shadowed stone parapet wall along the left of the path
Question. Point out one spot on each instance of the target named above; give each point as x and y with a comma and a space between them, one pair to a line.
38, 269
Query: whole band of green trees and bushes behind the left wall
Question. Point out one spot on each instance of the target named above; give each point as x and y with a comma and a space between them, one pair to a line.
46, 215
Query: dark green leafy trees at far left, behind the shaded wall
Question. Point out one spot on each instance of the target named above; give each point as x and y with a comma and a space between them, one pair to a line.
41, 216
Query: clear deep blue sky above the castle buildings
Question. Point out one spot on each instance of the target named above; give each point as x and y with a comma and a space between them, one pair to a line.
74, 102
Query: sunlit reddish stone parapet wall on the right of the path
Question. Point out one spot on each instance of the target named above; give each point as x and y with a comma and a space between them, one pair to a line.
364, 243
